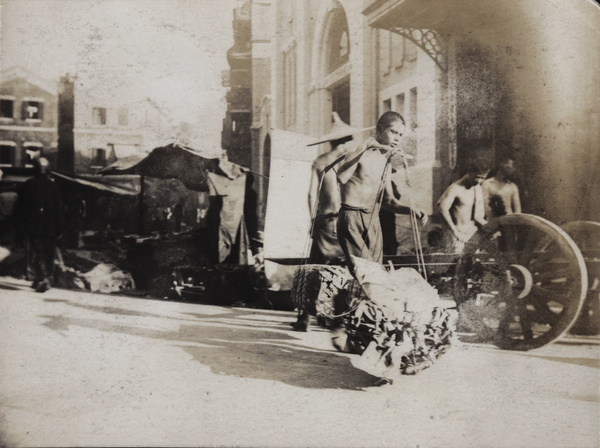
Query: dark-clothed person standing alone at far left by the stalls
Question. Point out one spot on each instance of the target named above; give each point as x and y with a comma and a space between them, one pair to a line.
39, 214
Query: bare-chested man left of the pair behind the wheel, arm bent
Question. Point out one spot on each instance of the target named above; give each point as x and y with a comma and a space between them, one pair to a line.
462, 207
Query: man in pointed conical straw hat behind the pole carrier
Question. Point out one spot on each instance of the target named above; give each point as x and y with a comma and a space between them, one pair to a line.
324, 201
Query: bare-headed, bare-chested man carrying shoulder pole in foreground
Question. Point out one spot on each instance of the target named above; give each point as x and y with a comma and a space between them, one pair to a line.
363, 176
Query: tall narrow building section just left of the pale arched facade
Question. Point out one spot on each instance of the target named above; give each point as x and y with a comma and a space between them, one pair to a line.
245, 126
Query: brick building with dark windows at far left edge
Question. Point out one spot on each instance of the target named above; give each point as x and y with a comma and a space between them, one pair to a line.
28, 118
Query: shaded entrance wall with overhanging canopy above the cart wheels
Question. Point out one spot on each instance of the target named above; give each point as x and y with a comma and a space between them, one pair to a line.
513, 77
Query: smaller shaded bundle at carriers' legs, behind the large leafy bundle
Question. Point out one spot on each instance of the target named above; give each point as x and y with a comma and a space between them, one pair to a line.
321, 290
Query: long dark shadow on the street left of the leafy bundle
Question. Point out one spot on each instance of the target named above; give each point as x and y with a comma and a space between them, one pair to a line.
237, 342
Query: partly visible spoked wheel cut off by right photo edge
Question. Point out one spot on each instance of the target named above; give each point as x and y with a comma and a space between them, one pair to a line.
586, 235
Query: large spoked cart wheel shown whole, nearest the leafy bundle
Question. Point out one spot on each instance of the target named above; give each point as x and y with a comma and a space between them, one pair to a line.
520, 282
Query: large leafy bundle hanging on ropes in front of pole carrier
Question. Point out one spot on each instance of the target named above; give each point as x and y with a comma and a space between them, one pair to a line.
397, 322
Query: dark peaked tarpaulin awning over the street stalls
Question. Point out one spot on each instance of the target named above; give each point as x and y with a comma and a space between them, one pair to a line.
175, 161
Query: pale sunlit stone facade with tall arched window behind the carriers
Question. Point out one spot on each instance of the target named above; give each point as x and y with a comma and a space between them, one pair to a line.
325, 58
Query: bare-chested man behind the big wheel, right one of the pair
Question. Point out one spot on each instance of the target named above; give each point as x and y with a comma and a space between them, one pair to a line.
500, 193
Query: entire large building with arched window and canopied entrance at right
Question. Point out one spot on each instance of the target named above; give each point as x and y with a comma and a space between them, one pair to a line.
470, 80
